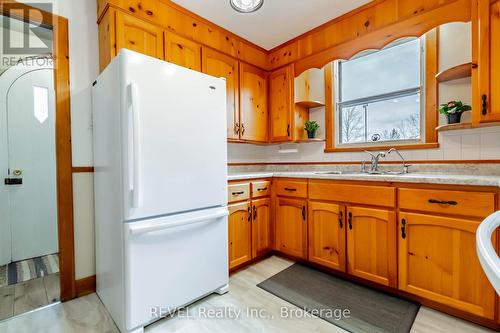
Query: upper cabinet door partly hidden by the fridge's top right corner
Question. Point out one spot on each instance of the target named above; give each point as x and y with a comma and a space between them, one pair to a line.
219, 65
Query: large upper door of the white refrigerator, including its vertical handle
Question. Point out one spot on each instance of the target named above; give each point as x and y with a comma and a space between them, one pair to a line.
175, 138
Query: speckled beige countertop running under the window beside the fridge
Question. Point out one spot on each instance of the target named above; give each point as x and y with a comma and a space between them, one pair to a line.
423, 178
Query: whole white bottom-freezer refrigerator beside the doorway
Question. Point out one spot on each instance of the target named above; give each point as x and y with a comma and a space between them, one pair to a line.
160, 158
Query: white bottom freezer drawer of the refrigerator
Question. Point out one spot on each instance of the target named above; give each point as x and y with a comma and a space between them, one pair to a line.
172, 261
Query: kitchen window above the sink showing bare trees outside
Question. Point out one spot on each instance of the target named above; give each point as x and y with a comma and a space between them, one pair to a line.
380, 95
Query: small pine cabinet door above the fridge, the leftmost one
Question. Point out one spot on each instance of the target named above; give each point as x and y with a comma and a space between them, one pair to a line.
137, 35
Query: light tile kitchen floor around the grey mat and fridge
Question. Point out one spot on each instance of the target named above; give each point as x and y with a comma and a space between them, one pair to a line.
87, 314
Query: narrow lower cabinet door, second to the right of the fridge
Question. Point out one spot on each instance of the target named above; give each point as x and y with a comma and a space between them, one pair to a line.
261, 228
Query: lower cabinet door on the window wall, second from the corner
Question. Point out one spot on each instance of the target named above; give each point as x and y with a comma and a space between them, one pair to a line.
327, 234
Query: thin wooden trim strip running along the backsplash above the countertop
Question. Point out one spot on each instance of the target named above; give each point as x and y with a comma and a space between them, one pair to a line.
359, 162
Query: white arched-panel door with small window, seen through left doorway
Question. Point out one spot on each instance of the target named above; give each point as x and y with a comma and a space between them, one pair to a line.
32, 207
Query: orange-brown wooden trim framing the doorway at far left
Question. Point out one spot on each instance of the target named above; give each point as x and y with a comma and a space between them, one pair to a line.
59, 26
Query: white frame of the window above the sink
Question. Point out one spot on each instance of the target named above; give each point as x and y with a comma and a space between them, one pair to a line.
377, 98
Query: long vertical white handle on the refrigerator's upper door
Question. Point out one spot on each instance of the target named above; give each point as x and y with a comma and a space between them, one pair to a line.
134, 150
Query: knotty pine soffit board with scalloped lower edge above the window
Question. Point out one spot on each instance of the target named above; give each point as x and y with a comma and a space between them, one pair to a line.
372, 27
